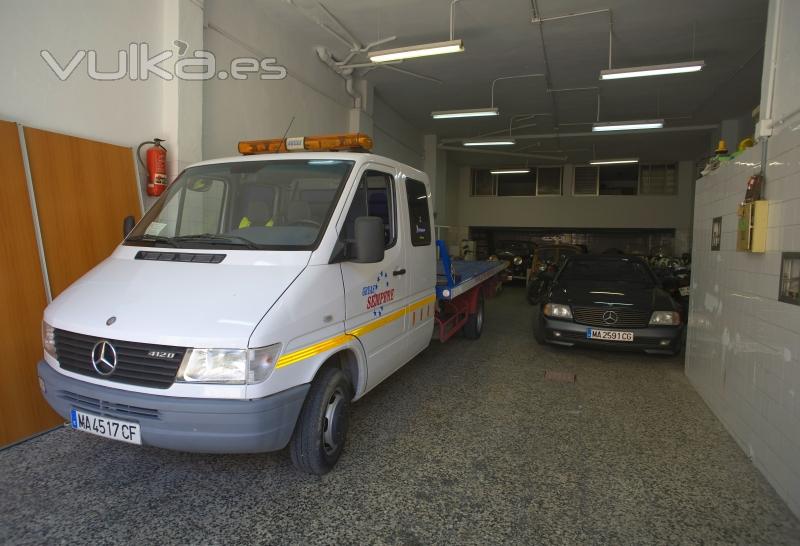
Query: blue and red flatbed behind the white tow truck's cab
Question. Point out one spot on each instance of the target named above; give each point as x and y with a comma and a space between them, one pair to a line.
461, 287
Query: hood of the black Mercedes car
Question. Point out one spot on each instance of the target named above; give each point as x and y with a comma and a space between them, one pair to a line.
595, 294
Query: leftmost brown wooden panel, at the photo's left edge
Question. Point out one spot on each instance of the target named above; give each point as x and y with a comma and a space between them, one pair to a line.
23, 411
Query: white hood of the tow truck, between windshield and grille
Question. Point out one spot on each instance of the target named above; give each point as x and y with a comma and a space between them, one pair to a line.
186, 304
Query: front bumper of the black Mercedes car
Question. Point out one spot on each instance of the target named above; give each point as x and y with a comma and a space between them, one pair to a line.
659, 340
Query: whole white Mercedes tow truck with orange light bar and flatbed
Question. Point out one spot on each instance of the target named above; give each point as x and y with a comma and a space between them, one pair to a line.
256, 299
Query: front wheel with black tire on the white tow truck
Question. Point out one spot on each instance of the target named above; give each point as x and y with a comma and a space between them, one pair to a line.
321, 429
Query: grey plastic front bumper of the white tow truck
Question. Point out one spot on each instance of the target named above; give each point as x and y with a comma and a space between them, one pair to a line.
185, 424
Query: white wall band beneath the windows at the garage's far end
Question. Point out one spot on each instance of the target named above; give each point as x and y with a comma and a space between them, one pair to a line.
568, 210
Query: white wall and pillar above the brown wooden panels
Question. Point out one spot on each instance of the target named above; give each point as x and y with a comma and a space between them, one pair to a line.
124, 112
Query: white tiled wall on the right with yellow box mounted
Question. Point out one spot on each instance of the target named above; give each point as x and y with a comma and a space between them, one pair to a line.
743, 348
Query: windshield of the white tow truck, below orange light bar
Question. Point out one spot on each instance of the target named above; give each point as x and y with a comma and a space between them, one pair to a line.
255, 205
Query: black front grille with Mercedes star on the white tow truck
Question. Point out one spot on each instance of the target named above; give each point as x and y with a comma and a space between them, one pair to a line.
134, 365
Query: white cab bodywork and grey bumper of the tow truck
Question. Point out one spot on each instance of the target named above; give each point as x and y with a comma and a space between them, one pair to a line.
312, 304
